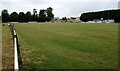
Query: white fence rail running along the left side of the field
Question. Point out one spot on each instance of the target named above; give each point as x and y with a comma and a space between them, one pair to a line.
17, 56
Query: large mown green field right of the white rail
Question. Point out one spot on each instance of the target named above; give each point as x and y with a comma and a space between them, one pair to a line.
68, 46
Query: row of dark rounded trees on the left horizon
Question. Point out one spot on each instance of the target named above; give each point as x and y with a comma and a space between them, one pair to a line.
43, 16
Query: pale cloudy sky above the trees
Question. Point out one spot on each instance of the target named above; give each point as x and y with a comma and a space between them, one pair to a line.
68, 8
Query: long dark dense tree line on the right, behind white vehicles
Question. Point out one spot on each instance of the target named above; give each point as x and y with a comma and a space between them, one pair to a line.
107, 14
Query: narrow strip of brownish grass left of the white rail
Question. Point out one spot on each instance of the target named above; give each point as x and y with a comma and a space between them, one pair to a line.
7, 49
